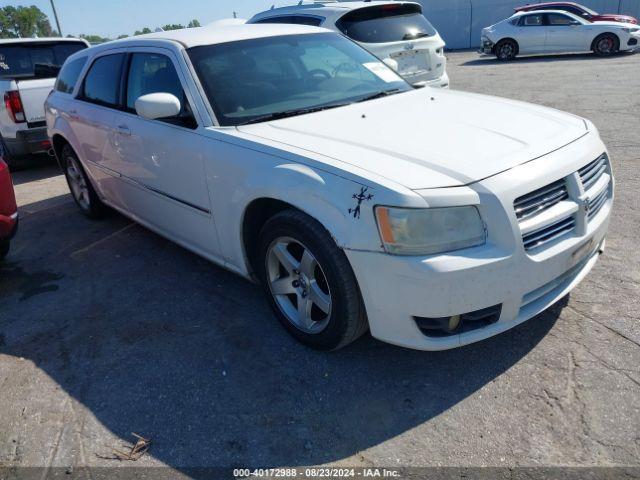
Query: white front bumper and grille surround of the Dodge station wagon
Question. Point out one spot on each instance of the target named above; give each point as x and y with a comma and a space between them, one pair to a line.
396, 290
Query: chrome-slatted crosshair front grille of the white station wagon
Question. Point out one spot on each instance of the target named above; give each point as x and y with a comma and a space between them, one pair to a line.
539, 228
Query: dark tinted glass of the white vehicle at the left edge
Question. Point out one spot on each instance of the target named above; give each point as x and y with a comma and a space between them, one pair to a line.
19, 60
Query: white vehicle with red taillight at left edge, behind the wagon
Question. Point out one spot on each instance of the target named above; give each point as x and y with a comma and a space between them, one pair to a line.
28, 68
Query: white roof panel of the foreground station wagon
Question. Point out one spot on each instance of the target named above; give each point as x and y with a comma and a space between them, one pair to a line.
215, 34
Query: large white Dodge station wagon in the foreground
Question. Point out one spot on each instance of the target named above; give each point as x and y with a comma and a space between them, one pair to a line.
293, 156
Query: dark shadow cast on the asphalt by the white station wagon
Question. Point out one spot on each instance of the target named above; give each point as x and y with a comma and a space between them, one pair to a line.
152, 339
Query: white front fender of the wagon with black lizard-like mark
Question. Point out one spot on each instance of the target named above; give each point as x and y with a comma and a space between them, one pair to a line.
343, 206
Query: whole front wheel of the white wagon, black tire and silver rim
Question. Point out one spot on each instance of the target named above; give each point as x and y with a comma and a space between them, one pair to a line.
296, 255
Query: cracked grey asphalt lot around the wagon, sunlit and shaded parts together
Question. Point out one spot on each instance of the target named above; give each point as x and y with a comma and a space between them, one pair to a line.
108, 329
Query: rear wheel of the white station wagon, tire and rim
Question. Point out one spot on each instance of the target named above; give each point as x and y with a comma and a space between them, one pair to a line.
80, 186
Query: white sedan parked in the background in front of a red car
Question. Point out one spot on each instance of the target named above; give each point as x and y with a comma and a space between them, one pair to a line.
556, 31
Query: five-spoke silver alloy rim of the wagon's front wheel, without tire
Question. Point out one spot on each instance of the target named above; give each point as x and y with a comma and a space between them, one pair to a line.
298, 285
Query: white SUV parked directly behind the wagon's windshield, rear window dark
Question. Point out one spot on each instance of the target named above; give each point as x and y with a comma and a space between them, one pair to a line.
394, 31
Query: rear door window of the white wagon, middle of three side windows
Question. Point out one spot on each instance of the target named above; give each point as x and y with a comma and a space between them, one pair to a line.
102, 82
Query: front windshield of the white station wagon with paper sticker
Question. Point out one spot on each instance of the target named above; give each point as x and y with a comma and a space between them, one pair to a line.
275, 77
